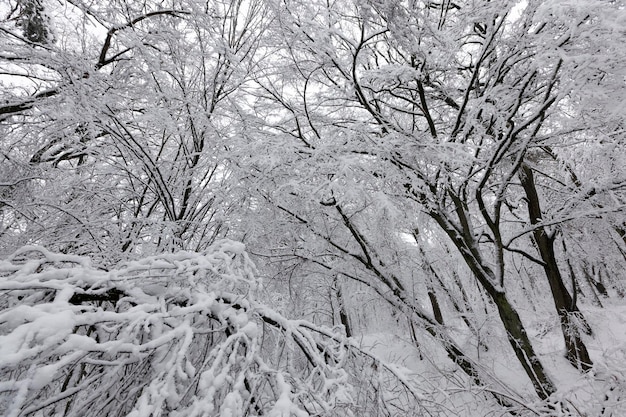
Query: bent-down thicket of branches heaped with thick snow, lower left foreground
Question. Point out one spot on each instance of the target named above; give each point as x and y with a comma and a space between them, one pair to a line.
178, 334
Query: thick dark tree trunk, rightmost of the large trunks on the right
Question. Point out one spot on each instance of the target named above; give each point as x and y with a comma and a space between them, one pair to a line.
576, 351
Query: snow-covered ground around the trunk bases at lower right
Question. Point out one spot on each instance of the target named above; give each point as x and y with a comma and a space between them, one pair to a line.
600, 392
